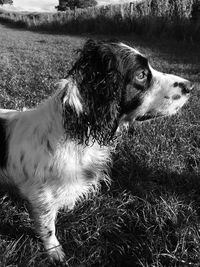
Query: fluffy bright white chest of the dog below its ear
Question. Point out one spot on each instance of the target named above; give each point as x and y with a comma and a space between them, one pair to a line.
76, 171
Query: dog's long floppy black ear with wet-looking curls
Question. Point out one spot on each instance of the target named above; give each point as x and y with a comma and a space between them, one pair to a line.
100, 85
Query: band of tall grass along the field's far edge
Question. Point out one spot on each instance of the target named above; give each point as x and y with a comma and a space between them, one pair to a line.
172, 19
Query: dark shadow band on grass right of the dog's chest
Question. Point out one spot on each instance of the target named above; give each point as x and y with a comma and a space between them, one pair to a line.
140, 180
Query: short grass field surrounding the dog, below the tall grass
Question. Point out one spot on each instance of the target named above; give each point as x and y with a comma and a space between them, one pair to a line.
150, 215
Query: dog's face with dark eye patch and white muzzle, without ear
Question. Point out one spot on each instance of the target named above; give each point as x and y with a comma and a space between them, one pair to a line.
151, 94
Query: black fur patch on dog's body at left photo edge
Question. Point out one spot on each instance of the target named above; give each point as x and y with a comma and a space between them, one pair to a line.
3, 144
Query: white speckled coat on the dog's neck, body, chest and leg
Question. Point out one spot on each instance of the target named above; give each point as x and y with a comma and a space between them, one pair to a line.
52, 172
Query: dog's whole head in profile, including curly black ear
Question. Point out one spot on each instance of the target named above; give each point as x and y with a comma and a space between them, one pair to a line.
110, 84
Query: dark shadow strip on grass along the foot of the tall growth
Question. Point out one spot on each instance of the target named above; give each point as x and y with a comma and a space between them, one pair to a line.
183, 50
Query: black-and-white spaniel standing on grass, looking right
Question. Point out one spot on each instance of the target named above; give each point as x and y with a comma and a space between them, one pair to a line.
61, 150
